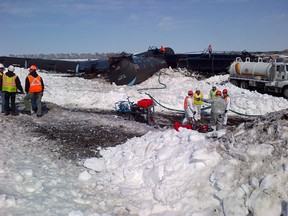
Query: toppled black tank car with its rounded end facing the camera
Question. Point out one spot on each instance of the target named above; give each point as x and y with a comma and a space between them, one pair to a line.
128, 69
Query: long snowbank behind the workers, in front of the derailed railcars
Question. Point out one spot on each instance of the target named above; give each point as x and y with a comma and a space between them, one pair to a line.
168, 87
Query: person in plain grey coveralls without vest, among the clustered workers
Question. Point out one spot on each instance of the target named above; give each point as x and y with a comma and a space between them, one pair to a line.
218, 108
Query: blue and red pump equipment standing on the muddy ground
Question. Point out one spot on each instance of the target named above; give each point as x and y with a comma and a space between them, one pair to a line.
143, 111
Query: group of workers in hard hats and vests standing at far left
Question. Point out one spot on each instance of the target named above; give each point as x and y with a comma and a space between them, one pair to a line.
10, 83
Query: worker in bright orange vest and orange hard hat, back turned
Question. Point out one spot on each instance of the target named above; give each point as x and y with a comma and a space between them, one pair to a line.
34, 87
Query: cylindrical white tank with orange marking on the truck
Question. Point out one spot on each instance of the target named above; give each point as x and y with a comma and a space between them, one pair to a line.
252, 70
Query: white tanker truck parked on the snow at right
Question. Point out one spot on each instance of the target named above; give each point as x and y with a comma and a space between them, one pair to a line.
264, 76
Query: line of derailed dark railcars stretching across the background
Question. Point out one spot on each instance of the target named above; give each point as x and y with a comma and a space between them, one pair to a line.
132, 69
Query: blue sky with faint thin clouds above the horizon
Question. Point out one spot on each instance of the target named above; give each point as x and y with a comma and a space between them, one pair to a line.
90, 26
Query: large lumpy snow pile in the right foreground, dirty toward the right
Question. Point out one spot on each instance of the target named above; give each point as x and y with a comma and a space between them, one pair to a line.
186, 174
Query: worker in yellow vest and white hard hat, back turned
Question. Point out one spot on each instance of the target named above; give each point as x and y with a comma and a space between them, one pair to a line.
10, 83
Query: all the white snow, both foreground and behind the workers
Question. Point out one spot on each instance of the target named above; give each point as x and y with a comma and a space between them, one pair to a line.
161, 173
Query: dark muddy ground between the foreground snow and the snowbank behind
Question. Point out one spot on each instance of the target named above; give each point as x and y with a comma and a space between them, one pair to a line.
78, 133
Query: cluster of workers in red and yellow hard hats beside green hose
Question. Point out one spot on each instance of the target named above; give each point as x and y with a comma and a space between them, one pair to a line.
220, 105
